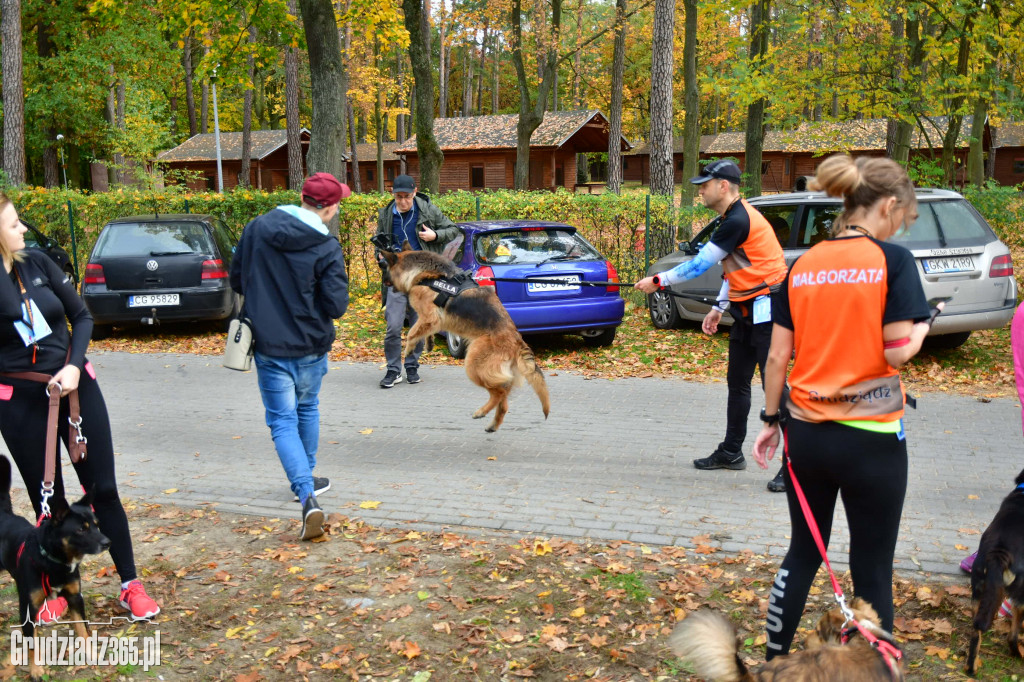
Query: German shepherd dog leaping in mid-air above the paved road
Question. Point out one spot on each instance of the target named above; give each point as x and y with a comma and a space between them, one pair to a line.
498, 359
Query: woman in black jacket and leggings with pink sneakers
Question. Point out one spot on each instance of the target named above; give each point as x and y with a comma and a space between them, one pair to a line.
37, 304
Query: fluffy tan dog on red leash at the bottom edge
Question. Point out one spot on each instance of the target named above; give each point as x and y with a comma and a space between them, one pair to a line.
708, 641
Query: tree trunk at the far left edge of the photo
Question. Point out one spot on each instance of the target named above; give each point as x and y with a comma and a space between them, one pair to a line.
14, 92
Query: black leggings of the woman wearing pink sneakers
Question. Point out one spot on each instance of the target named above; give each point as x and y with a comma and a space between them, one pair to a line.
23, 423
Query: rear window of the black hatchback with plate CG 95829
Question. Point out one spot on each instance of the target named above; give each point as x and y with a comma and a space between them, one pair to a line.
153, 239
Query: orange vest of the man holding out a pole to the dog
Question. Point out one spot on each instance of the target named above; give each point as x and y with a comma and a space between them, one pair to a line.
757, 264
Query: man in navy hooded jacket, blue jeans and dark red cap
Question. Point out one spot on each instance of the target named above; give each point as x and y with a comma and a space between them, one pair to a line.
292, 275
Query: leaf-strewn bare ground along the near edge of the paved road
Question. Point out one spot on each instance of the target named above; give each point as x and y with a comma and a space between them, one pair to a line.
244, 601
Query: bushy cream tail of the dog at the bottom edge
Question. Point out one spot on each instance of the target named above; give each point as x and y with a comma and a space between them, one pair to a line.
708, 641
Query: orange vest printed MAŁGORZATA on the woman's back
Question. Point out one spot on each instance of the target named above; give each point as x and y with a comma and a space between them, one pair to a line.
837, 296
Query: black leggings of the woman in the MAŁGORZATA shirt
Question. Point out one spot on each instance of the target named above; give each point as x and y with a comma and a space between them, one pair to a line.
869, 471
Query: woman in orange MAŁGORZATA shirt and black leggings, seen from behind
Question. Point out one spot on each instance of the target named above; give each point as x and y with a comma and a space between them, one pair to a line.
855, 311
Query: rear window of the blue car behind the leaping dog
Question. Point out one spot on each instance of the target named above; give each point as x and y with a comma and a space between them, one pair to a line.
533, 247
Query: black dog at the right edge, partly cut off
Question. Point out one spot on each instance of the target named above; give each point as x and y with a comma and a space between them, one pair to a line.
999, 574
